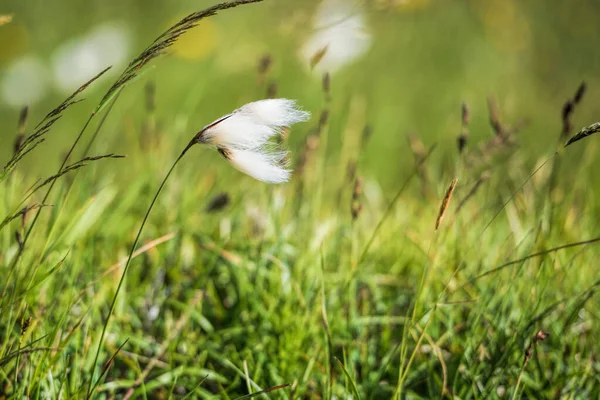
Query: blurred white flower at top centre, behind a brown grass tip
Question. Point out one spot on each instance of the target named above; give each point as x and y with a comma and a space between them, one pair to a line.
340, 35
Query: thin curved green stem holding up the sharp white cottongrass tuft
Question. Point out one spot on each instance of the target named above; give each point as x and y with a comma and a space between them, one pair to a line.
93, 385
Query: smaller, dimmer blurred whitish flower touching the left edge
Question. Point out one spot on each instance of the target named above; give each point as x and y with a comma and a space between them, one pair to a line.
24, 82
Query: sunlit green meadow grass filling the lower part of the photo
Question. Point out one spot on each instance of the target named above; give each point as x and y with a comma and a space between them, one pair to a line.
472, 277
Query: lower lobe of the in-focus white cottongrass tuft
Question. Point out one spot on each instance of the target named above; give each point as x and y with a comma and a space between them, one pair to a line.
266, 167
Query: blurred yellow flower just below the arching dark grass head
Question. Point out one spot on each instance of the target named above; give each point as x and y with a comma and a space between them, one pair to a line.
197, 43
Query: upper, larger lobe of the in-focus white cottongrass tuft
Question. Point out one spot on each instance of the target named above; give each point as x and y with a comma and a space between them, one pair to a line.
252, 125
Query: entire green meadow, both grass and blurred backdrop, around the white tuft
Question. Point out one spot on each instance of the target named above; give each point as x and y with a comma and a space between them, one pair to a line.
282, 281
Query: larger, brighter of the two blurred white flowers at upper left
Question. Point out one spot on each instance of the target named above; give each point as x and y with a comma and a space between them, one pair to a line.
77, 60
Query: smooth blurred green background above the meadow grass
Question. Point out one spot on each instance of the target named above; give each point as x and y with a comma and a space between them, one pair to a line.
419, 60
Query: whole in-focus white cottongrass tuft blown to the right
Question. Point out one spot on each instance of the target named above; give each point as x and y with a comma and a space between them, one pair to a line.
242, 137
